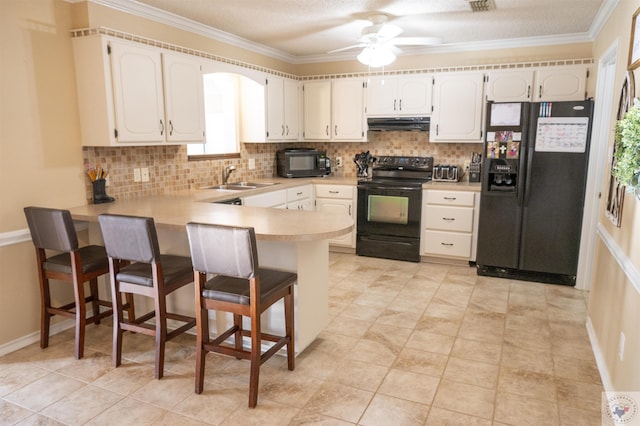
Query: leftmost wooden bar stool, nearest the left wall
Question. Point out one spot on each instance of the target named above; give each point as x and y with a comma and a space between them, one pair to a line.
53, 229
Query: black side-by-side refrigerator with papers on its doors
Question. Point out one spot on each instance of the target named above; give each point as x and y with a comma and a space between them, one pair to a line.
533, 188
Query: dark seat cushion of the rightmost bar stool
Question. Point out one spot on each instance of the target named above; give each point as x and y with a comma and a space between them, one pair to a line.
237, 290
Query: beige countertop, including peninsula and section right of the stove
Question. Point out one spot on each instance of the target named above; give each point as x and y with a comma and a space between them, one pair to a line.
199, 205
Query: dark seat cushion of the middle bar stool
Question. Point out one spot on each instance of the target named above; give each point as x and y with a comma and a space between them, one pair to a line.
174, 268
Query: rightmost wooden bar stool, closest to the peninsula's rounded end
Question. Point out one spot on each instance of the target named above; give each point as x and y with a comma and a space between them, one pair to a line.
239, 287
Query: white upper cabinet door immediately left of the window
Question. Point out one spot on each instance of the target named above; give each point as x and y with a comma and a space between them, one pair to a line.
184, 98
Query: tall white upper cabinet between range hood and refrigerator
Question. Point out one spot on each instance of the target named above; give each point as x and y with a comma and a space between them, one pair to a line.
457, 107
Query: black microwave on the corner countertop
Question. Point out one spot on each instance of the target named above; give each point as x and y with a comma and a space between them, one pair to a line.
302, 162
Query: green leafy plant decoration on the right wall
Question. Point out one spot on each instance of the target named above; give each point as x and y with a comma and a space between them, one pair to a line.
627, 149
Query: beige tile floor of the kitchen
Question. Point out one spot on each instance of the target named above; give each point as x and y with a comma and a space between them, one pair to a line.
407, 344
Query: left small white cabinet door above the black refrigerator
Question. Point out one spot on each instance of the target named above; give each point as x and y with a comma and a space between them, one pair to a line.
510, 86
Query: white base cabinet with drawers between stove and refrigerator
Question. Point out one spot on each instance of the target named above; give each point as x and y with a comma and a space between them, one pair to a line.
449, 224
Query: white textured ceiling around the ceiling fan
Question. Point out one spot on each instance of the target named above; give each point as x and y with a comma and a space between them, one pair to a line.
306, 28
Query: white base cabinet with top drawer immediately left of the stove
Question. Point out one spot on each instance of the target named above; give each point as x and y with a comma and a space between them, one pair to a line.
341, 200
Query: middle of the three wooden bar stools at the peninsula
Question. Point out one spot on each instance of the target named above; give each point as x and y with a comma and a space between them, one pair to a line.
136, 266
